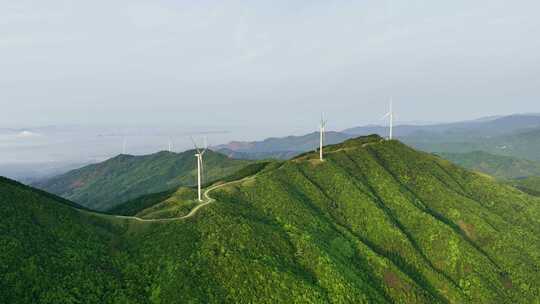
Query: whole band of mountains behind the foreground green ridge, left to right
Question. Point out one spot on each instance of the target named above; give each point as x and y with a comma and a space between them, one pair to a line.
501, 146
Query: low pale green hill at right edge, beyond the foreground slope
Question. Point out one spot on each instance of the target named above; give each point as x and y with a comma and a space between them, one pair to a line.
503, 167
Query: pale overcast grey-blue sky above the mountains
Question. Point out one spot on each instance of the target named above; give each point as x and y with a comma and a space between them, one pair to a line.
266, 67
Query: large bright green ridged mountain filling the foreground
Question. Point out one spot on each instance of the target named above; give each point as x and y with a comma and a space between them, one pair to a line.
376, 222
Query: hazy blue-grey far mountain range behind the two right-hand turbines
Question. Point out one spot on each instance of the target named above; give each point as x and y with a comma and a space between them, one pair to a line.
513, 135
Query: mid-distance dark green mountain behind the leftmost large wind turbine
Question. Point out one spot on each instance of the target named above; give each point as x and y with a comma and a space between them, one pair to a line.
125, 177
